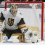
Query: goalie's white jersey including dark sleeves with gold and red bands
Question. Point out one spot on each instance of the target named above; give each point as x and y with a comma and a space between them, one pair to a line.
11, 22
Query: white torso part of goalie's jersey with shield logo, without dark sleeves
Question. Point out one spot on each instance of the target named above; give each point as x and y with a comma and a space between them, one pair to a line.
11, 21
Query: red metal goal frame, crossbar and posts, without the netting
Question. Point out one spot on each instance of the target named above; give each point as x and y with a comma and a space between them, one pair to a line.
42, 12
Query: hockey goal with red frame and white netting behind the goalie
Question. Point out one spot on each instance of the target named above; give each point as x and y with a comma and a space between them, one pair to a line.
32, 13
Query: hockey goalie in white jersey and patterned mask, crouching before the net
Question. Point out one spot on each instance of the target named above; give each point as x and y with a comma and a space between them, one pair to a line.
14, 23
